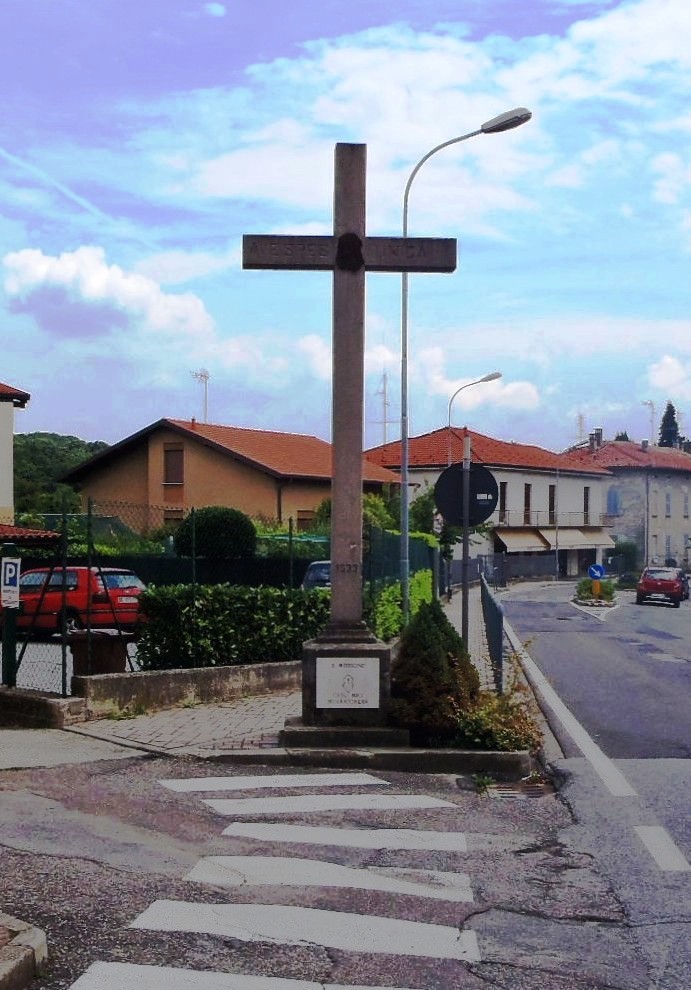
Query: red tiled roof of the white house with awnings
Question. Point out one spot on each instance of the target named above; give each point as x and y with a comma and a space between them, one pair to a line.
444, 446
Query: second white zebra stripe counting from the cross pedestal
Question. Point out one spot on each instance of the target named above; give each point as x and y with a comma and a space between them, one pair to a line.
324, 802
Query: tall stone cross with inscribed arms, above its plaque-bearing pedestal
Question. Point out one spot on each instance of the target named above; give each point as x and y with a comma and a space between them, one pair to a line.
349, 254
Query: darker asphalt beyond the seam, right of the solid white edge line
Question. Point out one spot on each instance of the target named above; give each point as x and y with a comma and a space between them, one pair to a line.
625, 673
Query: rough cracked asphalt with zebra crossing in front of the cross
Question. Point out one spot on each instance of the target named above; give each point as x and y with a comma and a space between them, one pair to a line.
121, 871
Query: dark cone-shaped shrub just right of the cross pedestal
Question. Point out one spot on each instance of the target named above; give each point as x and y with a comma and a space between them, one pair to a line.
432, 677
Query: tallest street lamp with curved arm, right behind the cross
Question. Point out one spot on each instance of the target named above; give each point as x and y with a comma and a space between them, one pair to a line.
504, 122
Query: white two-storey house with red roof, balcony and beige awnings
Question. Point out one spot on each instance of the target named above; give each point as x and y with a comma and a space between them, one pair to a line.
551, 507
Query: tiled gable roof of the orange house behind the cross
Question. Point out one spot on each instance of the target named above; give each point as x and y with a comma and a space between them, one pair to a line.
283, 455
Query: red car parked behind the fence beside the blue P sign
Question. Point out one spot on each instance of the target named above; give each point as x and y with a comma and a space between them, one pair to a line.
99, 597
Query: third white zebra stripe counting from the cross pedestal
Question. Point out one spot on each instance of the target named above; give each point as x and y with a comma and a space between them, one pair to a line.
357, 838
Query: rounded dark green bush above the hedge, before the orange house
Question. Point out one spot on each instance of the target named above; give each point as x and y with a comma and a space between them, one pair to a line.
219, 533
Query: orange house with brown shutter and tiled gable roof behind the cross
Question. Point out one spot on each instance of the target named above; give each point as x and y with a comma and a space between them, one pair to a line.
175, 465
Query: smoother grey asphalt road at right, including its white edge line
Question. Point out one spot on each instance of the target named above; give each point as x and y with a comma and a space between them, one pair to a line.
623, 673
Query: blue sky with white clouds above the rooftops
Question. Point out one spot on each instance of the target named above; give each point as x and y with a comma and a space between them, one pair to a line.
140, 141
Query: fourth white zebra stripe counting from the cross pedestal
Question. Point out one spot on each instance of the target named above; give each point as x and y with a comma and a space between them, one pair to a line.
257, 871
